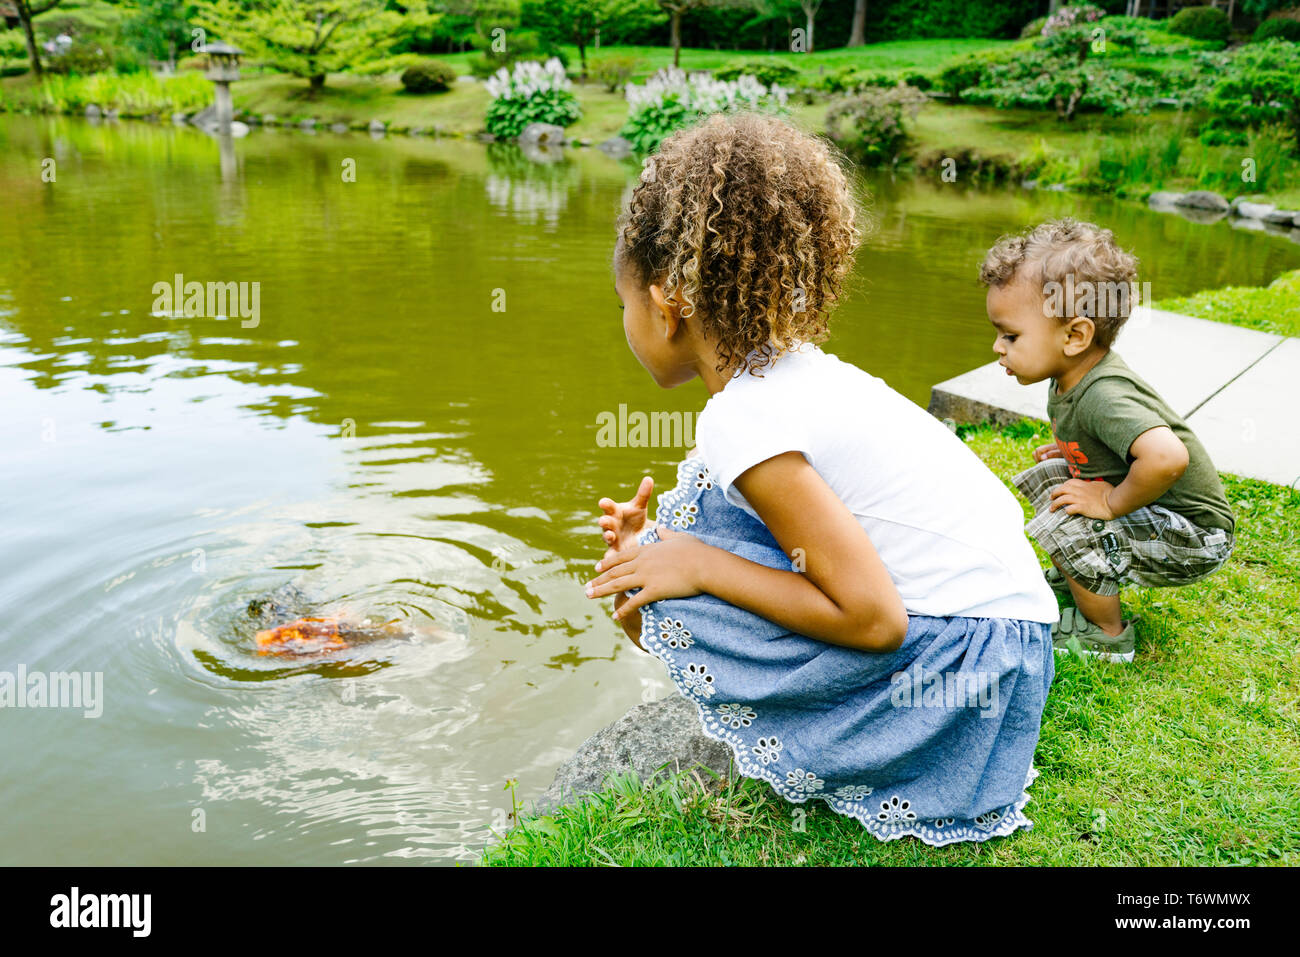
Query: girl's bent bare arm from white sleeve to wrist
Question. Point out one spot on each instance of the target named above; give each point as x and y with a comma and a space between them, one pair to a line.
843, 595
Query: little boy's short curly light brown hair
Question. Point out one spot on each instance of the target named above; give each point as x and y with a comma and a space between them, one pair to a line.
1071, 252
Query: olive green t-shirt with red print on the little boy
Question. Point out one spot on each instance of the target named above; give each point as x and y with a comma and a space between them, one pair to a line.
1098, 421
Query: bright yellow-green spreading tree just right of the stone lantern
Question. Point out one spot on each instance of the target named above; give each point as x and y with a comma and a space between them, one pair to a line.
310, 38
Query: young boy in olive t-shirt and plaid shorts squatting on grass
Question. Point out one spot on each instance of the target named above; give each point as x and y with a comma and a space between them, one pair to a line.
1128, 492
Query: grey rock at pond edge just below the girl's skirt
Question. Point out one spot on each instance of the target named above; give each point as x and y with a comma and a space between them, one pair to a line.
647, 738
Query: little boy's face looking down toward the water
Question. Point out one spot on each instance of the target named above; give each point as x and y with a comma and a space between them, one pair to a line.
1030, 347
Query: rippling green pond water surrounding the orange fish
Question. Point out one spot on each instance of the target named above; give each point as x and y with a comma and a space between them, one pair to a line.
384, 439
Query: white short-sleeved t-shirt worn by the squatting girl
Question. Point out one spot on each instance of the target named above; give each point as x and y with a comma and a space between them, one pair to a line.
946, 527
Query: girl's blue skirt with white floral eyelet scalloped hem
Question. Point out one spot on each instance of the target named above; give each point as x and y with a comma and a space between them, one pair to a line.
934, 741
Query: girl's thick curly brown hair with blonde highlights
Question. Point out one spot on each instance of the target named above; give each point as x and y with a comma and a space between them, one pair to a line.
752, 227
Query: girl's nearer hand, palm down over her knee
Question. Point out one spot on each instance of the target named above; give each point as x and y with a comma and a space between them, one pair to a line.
669, 569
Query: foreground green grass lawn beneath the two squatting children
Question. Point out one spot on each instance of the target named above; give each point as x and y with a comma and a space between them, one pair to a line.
1190, 756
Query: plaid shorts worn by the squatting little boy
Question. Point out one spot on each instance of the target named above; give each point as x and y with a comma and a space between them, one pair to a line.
1151, 547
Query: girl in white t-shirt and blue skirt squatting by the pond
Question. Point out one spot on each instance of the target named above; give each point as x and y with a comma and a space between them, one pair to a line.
838, 582
